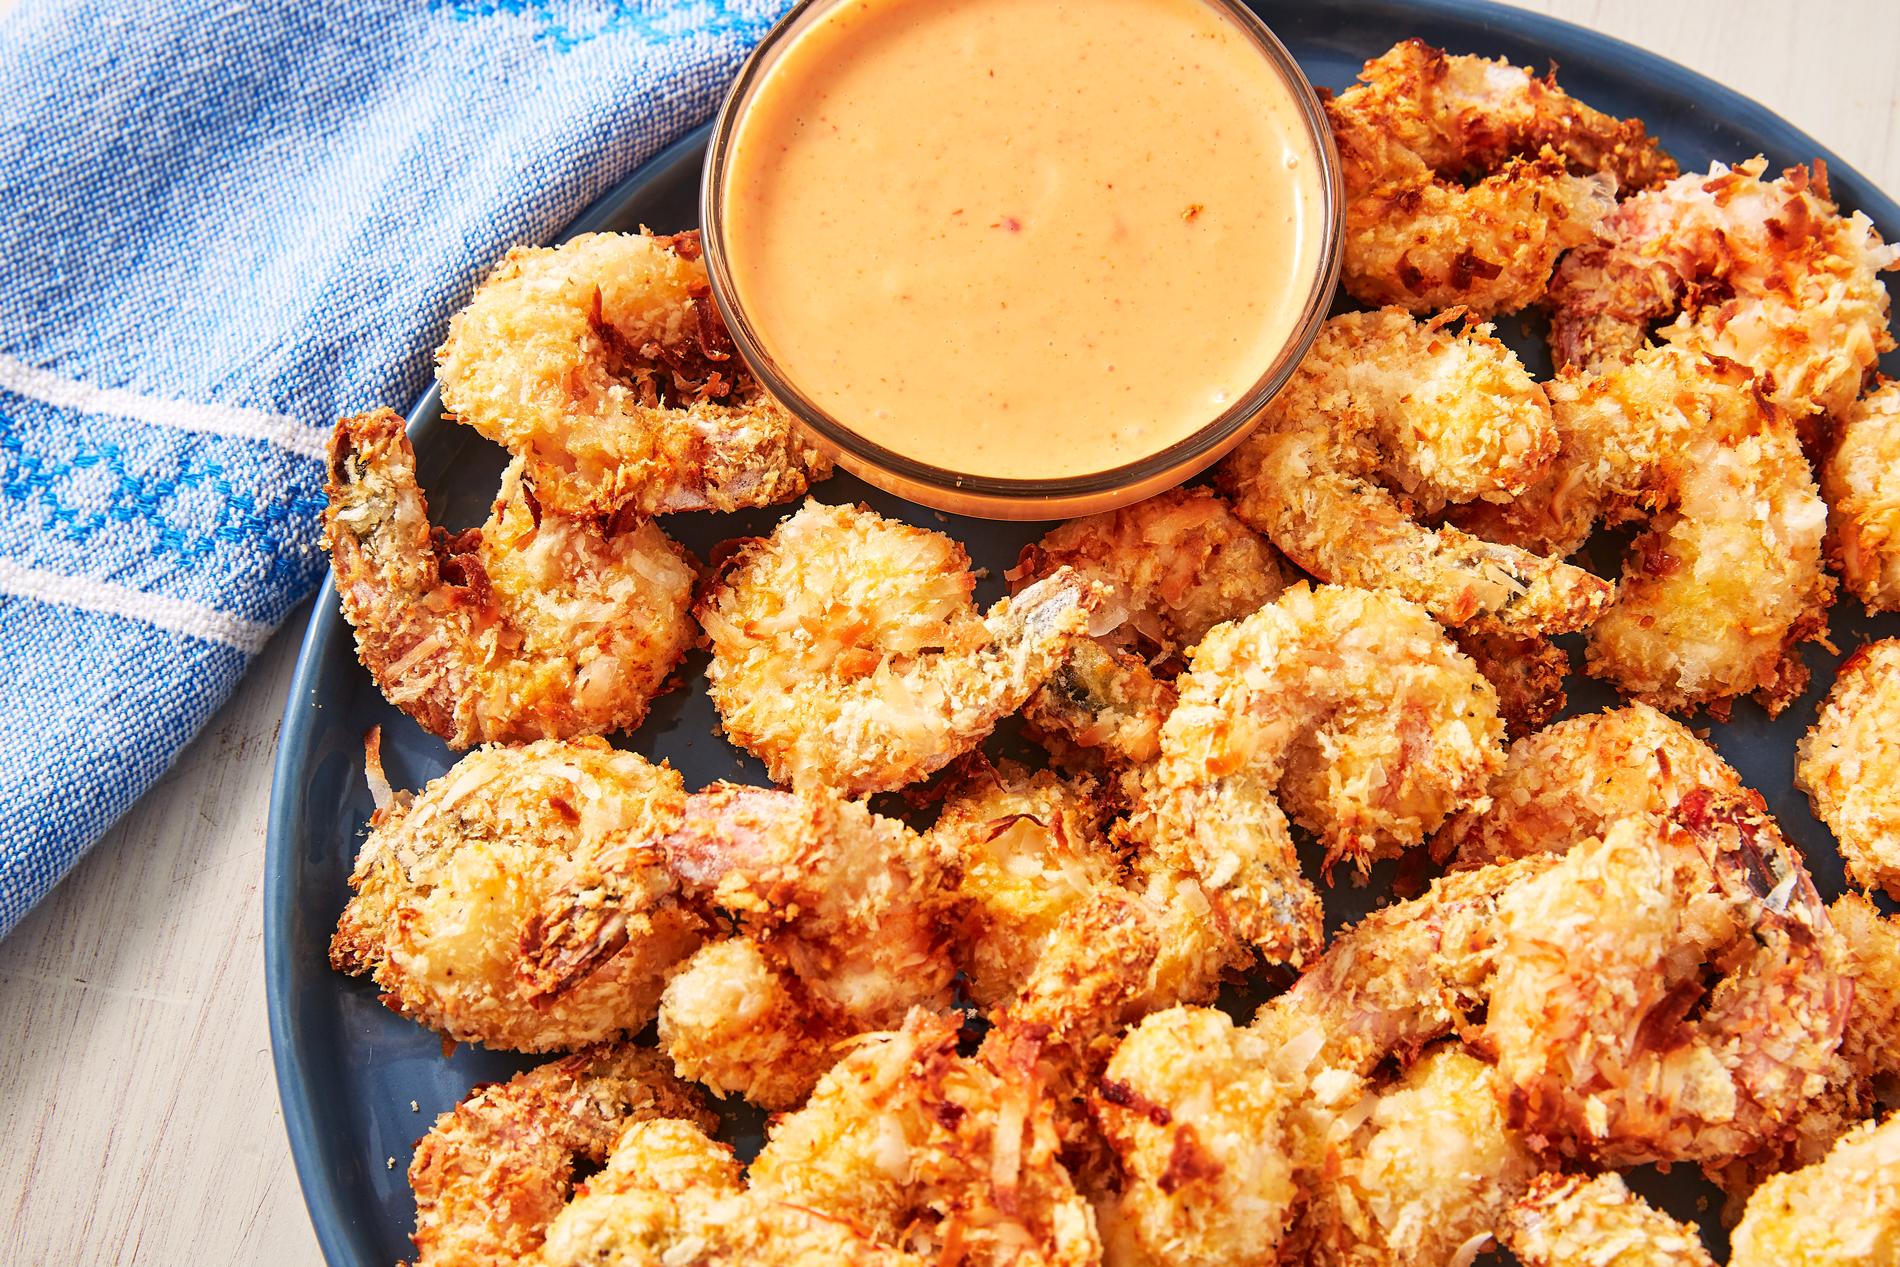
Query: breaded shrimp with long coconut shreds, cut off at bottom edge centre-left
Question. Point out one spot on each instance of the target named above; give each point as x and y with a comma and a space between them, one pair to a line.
932, 1152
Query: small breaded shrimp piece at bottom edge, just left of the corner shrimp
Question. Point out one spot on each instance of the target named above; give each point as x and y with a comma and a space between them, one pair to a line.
1567, 1220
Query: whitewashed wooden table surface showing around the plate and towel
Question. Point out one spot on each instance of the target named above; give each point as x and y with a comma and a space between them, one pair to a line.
138, 1108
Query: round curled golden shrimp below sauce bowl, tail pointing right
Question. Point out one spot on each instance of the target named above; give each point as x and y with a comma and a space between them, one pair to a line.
846, 651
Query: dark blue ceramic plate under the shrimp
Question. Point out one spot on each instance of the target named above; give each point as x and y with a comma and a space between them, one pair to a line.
351, 1072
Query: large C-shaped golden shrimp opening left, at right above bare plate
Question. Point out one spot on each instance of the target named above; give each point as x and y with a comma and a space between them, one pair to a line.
1730, 580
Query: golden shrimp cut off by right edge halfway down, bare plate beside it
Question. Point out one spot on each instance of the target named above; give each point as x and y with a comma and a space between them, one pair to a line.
1850, 765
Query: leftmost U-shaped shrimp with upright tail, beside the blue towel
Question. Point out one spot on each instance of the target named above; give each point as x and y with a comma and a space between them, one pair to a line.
529, 628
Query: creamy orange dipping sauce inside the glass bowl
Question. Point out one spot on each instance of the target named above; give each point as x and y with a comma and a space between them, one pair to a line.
1023, 238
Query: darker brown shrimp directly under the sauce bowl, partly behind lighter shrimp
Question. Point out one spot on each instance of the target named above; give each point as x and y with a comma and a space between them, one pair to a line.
1175, 567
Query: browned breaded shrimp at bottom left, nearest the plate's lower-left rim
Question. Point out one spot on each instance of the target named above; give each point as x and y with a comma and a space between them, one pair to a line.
499, 1167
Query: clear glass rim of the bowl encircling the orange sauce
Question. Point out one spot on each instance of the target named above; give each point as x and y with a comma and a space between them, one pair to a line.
989, 495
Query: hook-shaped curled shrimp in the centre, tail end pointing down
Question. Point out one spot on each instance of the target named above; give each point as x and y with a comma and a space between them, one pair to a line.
1350, 708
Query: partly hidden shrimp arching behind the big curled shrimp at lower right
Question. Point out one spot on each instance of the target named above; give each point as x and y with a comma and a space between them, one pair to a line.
1574, 780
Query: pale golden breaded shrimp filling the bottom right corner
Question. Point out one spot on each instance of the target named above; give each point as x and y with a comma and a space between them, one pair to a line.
1840, 1211
